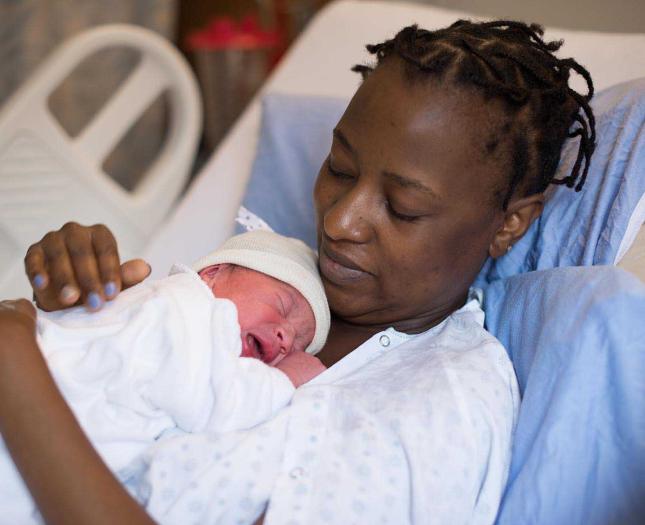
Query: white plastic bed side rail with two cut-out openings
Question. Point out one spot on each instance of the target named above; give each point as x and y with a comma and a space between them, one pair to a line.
48, 178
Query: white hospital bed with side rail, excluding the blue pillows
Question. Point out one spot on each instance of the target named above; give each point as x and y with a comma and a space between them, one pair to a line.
39, 163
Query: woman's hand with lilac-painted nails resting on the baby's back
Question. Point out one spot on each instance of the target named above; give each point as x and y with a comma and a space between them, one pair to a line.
79, 265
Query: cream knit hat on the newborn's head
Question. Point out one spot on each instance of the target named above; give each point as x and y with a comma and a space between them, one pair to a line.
285, 258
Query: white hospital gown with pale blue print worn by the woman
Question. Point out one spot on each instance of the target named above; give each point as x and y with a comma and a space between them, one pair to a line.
405, 429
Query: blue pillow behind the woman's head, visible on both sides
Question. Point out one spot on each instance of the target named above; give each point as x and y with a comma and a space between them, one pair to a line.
575, 229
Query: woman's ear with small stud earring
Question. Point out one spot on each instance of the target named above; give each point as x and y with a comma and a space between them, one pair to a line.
518, 217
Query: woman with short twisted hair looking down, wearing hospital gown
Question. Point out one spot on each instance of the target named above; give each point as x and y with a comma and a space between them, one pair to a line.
440, 160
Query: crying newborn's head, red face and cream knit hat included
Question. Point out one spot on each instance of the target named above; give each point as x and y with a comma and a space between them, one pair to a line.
274, 283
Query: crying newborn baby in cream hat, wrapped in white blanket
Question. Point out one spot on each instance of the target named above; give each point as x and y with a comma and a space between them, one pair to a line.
215, 348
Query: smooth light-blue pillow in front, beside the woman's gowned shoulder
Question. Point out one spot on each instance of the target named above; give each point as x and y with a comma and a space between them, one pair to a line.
577, 340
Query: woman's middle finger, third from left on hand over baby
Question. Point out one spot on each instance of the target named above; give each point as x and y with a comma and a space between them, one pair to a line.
80, 248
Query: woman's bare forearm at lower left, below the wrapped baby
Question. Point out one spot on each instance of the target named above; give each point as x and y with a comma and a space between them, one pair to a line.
66, 477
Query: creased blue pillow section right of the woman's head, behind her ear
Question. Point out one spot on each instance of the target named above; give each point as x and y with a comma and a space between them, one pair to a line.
586, 228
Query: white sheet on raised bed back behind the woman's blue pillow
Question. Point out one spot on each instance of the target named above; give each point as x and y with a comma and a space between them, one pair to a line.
319, 64
